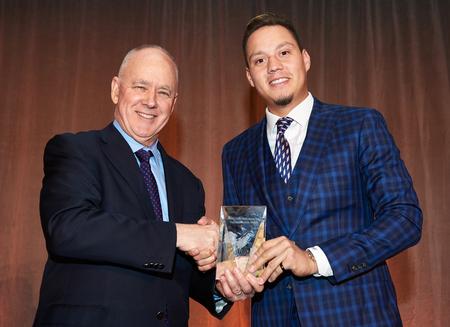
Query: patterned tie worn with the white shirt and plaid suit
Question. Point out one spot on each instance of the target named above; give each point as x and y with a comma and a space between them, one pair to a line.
282, 150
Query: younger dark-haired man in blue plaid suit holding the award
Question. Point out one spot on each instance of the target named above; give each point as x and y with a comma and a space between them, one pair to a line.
339, 198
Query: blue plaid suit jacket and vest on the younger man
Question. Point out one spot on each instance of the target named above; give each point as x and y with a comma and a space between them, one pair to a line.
353, 197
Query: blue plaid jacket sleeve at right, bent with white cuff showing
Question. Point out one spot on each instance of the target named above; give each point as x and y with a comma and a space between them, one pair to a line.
392, 201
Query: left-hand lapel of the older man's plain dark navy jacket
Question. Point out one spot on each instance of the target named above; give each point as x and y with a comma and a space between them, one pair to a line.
118, 152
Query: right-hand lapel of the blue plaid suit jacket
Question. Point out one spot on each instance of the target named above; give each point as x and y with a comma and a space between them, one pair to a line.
319, 131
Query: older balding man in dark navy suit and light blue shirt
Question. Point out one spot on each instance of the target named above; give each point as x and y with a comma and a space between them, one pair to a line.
119, 214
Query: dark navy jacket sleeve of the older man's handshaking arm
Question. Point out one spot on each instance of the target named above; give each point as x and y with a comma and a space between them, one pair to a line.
76, 225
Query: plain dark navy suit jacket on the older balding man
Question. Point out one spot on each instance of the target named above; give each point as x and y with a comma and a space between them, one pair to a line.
110, 262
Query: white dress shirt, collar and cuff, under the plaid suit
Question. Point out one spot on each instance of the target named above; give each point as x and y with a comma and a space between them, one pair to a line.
296, 135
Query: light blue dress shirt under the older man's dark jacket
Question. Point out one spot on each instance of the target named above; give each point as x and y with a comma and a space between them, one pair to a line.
155, 163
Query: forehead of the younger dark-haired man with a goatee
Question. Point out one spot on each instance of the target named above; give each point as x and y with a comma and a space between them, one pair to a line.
268, 38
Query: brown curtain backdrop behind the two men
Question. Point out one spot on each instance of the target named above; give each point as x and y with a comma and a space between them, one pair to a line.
57, 59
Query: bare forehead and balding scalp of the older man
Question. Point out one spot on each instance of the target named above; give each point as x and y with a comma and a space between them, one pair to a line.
151, 65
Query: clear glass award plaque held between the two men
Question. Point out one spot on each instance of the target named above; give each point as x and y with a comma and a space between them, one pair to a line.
242, 231
